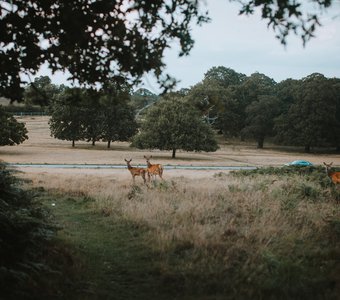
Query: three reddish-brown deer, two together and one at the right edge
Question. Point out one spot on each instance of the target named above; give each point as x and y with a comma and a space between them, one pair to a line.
153, 170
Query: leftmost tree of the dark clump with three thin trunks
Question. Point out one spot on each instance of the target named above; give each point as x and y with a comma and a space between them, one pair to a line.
66, 121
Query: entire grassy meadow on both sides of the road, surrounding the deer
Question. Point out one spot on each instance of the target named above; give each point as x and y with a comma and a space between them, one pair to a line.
270, 233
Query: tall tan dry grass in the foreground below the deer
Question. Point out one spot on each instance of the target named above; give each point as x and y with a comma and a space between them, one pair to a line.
266, 233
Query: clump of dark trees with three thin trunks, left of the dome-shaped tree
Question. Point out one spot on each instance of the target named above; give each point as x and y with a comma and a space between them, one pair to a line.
87, 114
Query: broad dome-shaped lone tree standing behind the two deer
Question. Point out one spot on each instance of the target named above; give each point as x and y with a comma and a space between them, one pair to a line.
174, 124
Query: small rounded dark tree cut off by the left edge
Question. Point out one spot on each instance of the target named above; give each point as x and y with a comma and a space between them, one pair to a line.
11, 131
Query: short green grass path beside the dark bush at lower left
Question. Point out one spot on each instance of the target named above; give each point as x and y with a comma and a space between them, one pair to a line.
112, 258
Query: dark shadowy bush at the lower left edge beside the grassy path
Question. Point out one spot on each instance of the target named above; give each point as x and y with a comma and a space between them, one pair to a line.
24, 238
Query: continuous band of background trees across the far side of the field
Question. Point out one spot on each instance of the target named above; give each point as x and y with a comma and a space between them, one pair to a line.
303, 112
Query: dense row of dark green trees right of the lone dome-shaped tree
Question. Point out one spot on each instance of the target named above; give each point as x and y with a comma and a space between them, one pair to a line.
302, 112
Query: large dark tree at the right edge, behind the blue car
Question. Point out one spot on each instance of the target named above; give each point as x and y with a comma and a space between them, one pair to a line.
312, 120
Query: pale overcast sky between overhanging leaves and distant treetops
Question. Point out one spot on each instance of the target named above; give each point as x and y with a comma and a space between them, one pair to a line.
246, 45
